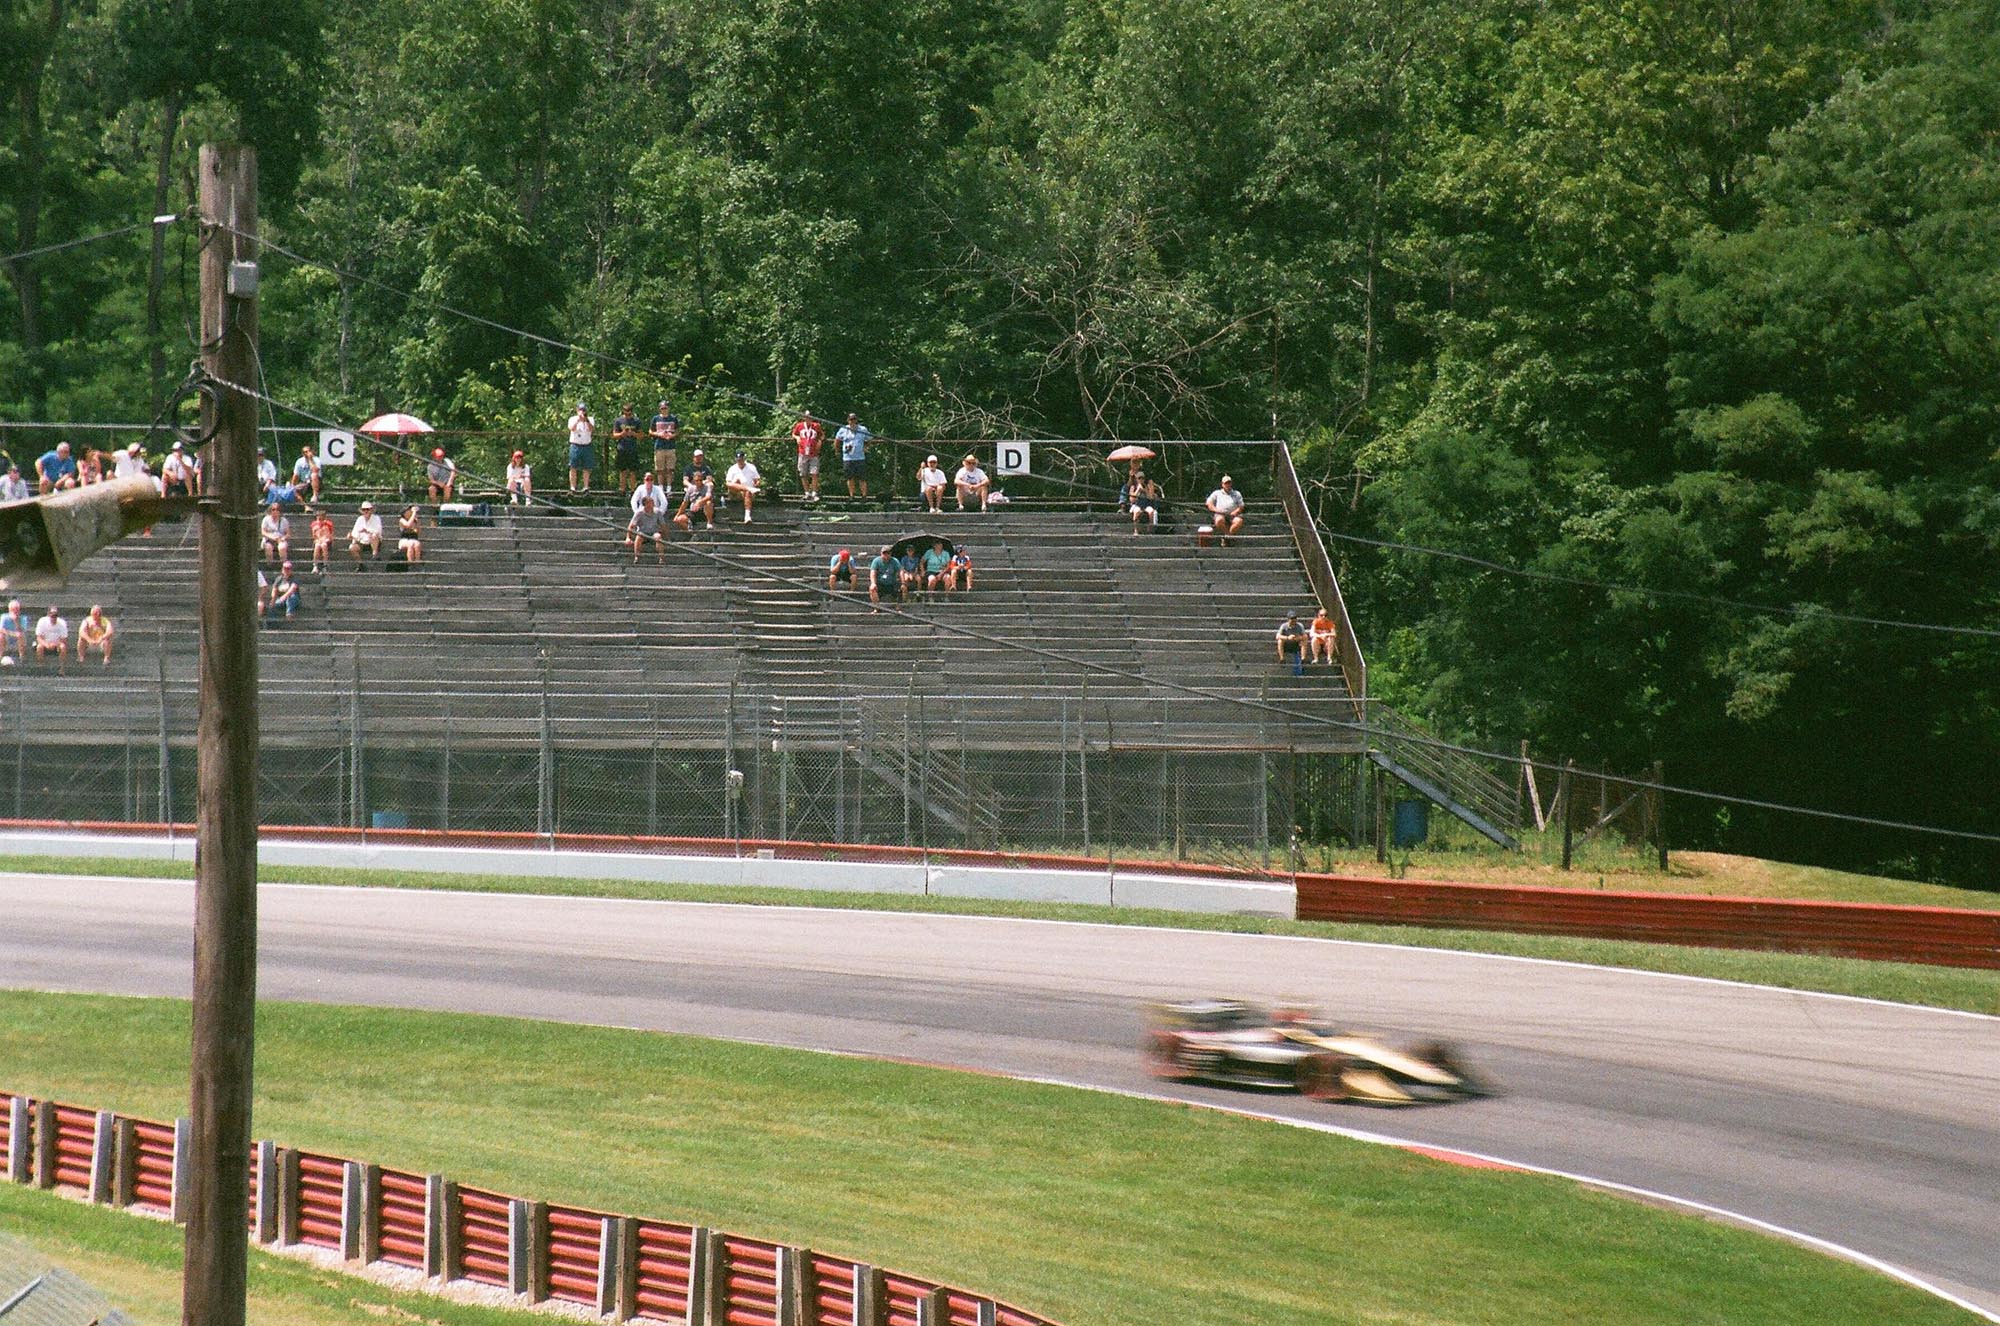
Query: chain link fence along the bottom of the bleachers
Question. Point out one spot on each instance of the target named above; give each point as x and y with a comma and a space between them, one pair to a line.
1125, 779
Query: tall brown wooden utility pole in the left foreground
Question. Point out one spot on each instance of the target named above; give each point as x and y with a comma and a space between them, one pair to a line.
225, 877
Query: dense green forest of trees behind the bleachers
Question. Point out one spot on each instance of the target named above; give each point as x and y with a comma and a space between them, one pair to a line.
1687, 307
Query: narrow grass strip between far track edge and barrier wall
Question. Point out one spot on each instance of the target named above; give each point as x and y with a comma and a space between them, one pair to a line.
1903, 983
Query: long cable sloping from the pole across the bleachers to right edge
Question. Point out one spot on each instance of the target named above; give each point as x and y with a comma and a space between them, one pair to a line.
1185, 689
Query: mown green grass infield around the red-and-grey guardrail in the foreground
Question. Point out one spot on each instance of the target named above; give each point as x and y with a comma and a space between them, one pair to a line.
1093, 1209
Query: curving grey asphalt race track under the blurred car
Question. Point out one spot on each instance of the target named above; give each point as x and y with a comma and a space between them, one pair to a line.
1867, 1125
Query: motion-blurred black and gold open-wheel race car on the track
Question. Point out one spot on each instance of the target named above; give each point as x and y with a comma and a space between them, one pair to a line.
1293, 1049
